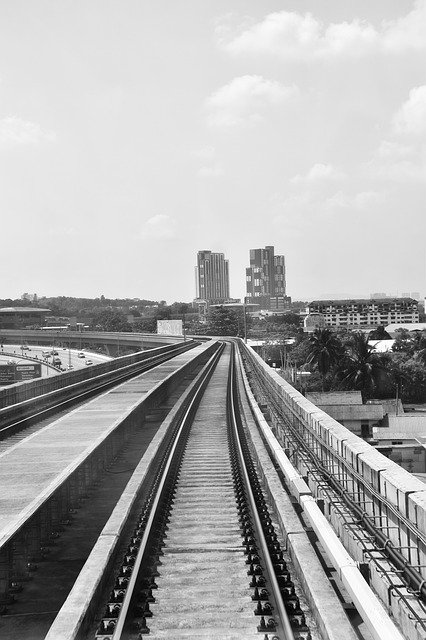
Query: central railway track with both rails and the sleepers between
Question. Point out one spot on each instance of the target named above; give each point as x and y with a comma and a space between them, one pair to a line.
204, 560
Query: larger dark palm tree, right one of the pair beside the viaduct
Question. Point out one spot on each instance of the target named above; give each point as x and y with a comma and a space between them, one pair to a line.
362, 367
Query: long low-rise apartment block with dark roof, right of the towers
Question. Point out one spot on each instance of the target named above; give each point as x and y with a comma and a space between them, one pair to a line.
365, 313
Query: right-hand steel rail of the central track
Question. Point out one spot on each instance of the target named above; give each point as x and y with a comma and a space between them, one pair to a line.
232, 401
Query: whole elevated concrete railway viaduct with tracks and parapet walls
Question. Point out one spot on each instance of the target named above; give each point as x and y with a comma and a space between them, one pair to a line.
332, 533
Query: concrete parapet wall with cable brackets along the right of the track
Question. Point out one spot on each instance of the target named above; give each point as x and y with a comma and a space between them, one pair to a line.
377, 508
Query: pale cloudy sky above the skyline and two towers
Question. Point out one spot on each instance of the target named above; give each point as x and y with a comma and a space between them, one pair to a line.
134, 133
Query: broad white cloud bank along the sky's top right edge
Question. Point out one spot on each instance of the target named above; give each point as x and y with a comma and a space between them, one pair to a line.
302, 36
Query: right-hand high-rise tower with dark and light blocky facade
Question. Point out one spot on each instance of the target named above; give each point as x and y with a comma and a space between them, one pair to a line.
265, 279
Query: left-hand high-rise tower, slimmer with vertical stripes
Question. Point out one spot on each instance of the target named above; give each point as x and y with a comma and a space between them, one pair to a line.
212, 277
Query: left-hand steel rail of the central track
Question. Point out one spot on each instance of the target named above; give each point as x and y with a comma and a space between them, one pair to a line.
184, 422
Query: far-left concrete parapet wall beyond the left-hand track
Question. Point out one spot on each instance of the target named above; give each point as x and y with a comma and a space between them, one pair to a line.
28, 390
